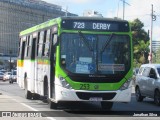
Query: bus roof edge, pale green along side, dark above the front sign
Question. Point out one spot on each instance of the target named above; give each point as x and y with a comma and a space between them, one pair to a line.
58, 20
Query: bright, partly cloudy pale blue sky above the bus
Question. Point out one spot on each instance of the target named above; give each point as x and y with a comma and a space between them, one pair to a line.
140, 9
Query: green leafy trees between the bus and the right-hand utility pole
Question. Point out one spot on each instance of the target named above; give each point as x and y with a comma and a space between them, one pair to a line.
140, 43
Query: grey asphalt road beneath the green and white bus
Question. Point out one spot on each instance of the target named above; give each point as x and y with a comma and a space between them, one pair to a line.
77, 110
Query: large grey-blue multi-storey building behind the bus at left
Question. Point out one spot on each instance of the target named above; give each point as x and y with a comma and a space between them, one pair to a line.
18, 15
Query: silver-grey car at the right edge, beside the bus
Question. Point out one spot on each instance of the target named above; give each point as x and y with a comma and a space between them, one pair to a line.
148, 83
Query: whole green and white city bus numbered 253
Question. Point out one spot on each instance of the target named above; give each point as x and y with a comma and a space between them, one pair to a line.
78, 59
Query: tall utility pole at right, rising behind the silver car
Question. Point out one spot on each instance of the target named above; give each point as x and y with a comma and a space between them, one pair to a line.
153, 18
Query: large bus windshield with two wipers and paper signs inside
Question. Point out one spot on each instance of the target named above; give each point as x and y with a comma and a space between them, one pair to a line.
95, 54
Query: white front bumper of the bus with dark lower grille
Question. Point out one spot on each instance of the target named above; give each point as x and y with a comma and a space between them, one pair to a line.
63, 94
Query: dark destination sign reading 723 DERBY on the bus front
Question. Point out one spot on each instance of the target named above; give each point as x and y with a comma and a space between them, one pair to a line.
96, 25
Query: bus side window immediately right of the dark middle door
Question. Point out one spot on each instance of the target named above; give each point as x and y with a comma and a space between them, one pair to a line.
40, 44
